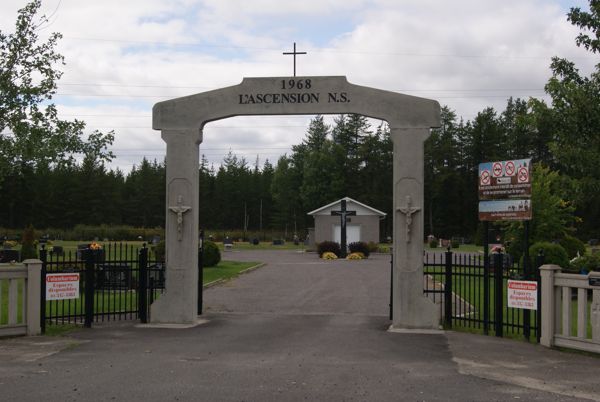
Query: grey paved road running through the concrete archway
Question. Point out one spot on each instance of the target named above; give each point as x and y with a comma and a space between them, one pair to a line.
297, 329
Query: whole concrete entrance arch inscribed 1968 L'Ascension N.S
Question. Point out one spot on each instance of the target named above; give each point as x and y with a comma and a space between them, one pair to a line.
181, 122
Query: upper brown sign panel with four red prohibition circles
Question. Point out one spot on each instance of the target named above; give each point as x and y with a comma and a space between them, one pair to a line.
505, 180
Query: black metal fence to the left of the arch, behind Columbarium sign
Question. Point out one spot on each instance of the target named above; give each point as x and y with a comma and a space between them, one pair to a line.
116, 282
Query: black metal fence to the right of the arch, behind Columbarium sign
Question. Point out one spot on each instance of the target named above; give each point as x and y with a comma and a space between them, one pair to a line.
471, 292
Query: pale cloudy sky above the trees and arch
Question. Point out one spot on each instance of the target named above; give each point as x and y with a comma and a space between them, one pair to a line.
124, 56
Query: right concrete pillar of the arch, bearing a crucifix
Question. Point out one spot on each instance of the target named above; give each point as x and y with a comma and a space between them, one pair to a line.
412, 310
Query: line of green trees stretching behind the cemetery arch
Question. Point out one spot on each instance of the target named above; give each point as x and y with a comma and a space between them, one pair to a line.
43, 186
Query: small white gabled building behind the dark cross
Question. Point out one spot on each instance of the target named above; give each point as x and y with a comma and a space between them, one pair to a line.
364, 226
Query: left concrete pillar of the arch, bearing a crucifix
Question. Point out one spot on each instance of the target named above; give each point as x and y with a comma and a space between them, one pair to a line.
179, 302
